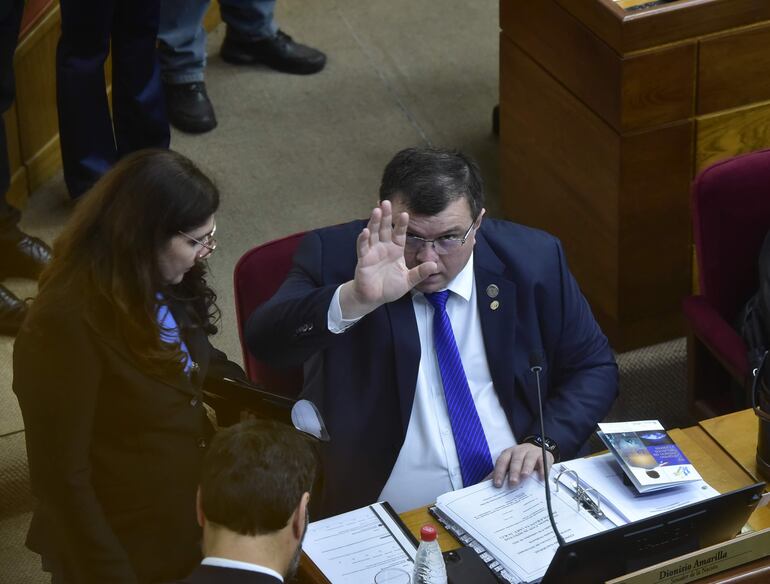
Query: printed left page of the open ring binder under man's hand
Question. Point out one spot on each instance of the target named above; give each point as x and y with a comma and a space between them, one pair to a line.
512, 523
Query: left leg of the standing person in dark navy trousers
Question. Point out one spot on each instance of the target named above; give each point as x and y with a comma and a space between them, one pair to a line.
85, 127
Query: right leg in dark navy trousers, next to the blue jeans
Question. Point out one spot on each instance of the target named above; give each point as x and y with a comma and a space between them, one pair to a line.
138, 111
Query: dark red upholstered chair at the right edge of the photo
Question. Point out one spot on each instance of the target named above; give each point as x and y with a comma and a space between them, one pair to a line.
731, 215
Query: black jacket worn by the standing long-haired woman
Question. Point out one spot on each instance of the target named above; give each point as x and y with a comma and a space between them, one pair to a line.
114, 453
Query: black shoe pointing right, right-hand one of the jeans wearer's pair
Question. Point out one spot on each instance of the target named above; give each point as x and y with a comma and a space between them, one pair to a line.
279, 52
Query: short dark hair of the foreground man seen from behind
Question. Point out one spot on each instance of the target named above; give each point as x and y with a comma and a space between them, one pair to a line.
254, 475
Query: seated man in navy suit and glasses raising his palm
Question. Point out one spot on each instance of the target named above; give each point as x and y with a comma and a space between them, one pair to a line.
419, 331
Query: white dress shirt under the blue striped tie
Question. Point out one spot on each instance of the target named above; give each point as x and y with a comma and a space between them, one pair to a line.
427, 464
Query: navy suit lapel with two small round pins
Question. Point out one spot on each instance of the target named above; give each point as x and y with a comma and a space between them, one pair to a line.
497, 305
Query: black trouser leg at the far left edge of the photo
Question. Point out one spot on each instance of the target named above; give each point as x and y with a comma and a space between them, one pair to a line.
10, 20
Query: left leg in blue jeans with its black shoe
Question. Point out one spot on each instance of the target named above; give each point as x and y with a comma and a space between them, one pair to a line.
182, 52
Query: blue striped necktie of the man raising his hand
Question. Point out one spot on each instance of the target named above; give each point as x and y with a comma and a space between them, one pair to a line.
471, 444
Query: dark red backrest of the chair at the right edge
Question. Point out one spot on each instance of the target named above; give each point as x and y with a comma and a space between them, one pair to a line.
731, 215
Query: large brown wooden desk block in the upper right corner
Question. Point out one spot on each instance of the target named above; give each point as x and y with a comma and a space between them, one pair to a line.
606, 115
